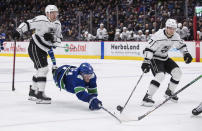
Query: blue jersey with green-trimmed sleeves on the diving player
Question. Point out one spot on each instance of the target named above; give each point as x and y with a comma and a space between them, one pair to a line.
69, 78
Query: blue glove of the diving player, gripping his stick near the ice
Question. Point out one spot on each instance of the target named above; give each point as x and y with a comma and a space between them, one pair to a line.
95, 104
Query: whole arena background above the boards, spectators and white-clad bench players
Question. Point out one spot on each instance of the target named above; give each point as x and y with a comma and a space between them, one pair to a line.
137, 20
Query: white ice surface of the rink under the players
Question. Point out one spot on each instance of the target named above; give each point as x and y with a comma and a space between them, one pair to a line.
116, 80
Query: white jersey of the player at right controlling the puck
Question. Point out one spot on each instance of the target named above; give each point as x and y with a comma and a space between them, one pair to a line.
159, 45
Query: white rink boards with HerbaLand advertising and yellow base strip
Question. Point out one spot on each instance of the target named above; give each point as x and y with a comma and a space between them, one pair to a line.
101, 50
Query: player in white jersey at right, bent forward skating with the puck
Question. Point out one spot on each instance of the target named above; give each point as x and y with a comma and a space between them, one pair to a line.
156, 58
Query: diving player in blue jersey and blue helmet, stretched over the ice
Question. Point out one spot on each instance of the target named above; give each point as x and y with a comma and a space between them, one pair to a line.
80, 81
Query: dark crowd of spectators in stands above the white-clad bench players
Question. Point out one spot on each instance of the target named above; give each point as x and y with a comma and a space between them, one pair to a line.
77, 14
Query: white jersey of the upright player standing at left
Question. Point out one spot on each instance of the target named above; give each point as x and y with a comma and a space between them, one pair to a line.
42, 25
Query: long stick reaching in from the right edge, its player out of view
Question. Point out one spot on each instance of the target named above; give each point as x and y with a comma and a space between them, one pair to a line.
180, 90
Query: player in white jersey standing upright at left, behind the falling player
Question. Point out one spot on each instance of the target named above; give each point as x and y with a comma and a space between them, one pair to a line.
47, 35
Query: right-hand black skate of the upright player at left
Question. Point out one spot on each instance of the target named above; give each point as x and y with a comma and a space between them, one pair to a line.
42, 99
